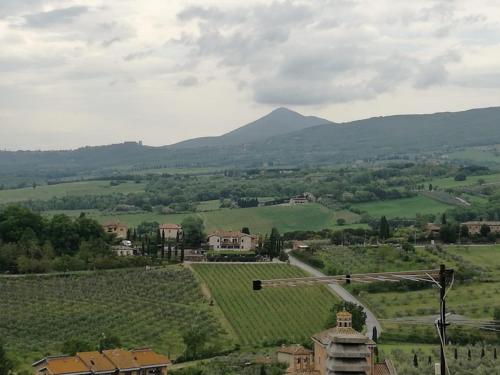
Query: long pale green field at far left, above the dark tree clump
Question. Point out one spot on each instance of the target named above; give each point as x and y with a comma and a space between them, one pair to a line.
45, 192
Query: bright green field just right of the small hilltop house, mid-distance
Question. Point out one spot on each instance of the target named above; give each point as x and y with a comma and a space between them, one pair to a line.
402, 208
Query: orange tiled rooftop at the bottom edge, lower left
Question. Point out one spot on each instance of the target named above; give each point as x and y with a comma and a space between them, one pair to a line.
115, 361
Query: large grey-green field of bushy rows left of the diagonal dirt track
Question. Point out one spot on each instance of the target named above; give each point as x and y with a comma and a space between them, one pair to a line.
143, 308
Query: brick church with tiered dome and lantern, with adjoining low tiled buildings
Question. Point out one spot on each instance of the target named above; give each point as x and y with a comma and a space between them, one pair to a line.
337, 351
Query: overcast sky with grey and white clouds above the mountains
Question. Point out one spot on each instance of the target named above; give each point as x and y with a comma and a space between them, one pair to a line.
93, 72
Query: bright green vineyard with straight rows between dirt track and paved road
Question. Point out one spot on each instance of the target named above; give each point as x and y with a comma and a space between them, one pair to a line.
270, 315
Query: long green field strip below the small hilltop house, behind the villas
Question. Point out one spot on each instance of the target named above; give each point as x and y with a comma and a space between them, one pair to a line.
259, 219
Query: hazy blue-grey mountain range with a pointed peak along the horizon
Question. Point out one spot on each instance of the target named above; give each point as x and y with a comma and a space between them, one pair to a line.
282, 137
